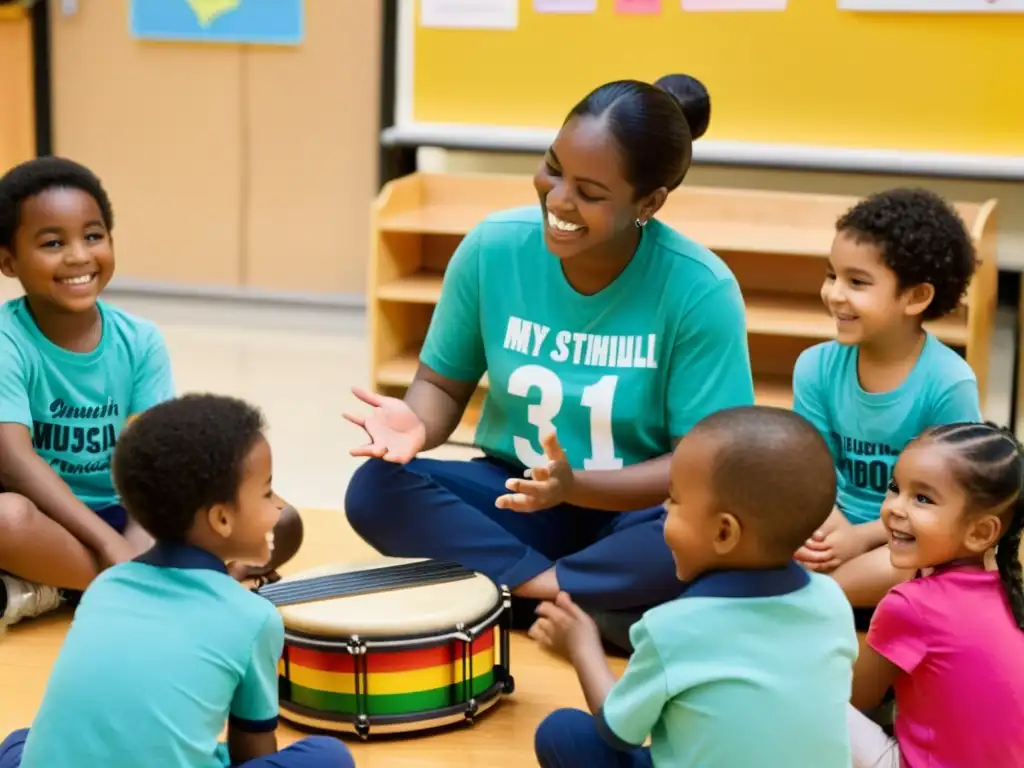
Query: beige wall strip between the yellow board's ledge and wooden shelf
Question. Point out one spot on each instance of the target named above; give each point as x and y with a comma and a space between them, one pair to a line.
1010, 195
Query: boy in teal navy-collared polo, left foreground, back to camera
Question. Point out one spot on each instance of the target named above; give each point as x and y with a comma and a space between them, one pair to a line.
167, 650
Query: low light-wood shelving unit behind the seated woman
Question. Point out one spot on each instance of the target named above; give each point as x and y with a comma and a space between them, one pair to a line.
776, 243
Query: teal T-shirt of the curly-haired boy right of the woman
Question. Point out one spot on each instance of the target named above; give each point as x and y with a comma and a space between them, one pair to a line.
867, 432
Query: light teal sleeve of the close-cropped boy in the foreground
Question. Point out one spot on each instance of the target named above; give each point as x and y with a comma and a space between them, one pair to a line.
635, 703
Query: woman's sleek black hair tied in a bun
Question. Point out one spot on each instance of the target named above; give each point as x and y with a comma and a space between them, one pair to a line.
655, 126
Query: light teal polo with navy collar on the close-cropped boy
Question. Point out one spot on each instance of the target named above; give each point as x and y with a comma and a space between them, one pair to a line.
746, 669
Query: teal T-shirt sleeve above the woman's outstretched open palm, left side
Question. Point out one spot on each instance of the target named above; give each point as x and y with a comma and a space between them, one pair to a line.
454, 347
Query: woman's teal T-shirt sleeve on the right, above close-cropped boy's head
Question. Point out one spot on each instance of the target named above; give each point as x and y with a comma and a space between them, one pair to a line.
710, 367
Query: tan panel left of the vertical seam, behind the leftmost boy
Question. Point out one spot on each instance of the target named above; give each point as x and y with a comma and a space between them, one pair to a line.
159, 124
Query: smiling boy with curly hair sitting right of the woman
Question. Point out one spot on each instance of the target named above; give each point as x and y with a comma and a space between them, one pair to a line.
901, 259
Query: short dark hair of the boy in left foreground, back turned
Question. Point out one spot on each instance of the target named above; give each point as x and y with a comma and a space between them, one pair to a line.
184, 456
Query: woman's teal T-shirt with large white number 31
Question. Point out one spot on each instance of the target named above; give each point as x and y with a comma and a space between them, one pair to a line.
618, 375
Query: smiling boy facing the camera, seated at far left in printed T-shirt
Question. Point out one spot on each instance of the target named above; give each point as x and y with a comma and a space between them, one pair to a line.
73, 372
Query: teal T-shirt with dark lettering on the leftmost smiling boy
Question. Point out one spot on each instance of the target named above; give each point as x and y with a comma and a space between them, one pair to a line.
75, 405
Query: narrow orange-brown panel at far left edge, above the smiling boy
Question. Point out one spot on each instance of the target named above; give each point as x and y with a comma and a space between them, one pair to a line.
18, 141
